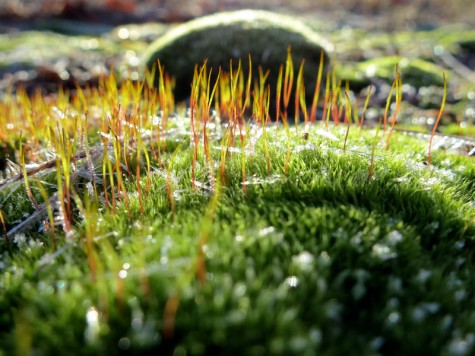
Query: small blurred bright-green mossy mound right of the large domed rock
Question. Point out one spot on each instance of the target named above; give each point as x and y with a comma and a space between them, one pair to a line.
414, 71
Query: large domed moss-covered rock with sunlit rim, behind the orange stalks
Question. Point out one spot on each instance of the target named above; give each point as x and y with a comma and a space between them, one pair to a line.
233, 35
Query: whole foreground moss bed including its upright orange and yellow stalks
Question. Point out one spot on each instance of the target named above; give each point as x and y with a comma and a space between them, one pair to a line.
134, 224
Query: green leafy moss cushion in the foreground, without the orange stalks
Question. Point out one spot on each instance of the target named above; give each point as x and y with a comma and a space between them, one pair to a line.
320, 260
